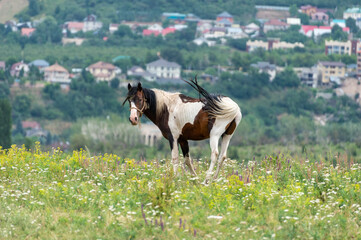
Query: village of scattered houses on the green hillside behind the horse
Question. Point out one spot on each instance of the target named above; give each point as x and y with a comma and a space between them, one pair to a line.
340, 78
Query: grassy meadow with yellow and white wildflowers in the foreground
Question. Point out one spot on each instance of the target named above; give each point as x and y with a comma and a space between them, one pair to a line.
52, 195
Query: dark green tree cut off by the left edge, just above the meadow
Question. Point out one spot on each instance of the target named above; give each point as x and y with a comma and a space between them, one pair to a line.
5, 123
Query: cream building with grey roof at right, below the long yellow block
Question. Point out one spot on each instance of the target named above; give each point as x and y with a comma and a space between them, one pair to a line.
328, 71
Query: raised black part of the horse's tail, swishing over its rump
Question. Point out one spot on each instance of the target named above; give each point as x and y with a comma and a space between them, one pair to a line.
210, 101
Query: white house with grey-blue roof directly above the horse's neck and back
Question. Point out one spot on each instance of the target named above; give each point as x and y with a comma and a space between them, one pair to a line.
164, 69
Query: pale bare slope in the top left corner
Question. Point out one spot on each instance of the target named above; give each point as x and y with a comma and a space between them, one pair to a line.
9, 8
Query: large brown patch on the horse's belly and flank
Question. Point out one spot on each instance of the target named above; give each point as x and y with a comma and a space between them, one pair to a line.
201, 127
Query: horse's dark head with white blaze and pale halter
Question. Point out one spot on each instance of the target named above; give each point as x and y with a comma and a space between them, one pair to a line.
137, 103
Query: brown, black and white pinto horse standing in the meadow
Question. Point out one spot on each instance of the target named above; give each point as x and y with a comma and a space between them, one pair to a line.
181, 118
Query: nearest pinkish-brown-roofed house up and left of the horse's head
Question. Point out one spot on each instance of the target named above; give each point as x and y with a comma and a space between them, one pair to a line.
103, 71
